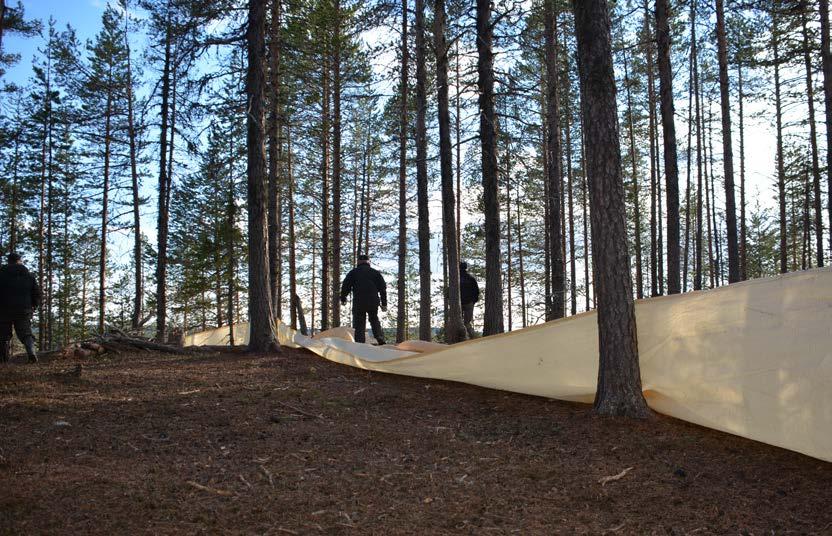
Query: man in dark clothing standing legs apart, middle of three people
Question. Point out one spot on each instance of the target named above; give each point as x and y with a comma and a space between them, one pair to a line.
369, 291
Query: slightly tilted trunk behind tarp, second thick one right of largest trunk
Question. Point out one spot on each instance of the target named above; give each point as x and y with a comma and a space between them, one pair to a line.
727, 146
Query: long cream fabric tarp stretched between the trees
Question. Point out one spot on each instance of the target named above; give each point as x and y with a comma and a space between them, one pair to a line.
753, 359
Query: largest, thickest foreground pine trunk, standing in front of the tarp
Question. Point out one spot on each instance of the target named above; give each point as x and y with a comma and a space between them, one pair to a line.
619, 377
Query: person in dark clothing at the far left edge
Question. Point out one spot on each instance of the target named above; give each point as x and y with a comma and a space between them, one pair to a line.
19, 297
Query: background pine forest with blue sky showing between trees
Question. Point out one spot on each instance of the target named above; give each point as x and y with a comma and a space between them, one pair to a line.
135, 142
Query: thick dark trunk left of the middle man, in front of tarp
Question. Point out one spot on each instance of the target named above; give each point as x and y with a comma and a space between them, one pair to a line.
261, 319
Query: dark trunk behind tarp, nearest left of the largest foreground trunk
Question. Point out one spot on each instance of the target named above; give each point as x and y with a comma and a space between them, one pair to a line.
553, 150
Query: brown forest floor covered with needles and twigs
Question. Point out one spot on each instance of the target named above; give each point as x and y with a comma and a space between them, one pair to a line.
293, 444
